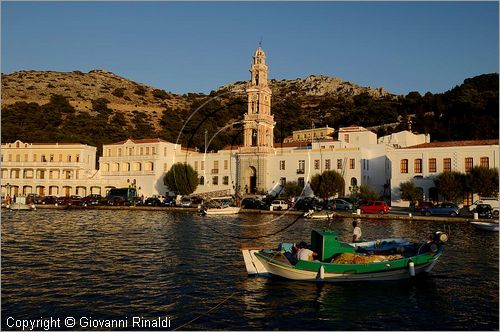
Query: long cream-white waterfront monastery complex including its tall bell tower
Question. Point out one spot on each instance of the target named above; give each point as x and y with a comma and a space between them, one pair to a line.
259, 165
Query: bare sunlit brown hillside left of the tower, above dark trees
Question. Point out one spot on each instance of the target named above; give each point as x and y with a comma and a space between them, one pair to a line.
124, 95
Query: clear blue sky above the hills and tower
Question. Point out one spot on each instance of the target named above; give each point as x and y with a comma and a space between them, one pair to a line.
198, 46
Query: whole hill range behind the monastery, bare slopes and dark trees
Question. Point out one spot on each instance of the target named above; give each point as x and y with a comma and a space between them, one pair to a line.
101, 107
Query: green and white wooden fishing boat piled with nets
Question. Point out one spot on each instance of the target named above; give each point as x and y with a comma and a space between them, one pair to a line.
386, 259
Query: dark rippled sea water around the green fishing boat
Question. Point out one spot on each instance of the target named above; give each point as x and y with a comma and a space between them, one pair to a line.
118, 264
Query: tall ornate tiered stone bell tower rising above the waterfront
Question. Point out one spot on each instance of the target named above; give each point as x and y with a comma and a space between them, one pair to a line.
258, 127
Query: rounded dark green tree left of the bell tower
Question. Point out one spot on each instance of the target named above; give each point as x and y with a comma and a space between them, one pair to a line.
182, 179
